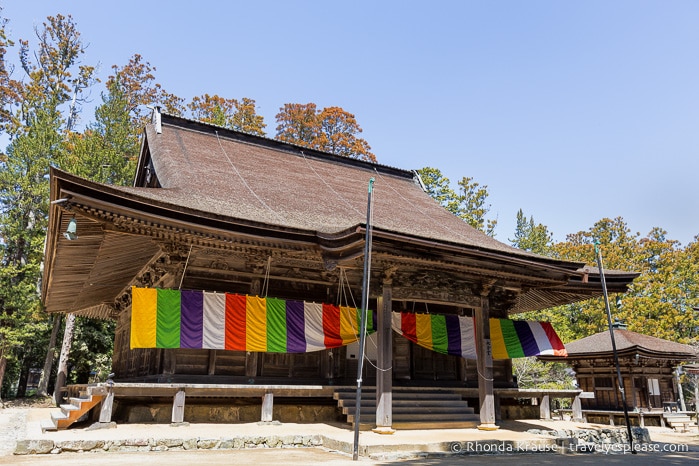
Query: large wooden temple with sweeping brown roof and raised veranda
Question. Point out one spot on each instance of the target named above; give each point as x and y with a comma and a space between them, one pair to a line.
222, 211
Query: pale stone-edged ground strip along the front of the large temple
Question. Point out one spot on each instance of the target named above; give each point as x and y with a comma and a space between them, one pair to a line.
20, 426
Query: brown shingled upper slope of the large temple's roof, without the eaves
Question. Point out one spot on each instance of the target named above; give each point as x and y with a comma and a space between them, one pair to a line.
260, 180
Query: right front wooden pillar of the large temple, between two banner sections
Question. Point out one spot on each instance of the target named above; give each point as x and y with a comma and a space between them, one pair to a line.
484, 364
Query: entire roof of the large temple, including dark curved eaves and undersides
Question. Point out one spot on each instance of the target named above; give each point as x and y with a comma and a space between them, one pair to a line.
199, 184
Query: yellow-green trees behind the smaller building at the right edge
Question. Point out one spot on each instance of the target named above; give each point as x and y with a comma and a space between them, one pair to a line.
658, 303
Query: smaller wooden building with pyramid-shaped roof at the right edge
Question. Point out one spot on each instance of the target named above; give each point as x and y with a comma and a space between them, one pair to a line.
646, 364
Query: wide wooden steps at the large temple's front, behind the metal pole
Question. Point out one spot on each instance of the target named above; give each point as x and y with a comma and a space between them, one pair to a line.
412, 409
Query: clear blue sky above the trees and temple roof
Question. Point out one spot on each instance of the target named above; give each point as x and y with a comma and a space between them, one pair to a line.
570, 110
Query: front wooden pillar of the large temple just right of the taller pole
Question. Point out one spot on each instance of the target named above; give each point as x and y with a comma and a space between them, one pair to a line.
384, 360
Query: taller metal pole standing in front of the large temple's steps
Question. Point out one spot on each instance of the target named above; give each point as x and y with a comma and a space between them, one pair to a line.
362, 326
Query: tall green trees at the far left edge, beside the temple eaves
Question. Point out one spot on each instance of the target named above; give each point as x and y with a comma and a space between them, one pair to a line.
55, 83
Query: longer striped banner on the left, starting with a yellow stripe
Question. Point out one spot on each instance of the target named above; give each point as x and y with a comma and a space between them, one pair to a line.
163, 318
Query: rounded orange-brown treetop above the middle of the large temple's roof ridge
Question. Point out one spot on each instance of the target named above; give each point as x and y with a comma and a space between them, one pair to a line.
332, 130
